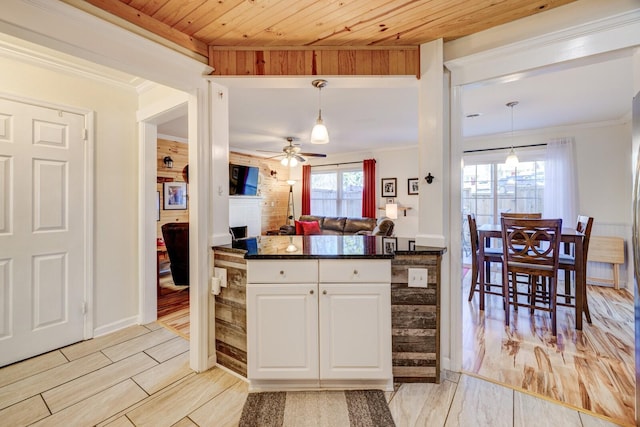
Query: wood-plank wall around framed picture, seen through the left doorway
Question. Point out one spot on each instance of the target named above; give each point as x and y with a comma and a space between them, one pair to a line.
179, 152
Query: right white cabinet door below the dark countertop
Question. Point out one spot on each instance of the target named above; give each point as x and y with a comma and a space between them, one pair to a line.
355, 331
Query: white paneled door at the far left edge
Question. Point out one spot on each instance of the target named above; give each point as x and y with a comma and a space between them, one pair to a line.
42, 229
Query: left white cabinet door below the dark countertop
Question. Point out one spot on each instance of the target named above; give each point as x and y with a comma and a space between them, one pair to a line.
282, 331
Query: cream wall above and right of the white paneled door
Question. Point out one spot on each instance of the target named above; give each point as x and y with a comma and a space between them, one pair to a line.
116, 162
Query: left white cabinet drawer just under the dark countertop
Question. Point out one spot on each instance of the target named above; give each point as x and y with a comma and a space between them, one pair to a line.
277, 271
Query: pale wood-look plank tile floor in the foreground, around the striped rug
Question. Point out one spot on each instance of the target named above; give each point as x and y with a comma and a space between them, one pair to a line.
140, 376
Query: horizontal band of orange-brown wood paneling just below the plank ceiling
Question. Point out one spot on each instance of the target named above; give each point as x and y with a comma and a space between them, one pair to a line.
299, 62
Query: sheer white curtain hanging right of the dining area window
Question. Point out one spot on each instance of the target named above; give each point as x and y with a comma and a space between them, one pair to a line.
561, 182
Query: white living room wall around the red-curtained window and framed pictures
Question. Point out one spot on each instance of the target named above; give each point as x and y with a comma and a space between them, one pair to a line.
400, 163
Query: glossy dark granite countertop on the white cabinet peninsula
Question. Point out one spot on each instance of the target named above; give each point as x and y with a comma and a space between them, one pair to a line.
327, 247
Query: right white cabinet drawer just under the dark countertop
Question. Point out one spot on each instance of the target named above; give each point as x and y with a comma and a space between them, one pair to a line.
355, 271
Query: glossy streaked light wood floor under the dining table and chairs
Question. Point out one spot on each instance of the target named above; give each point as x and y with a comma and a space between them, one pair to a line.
592, 369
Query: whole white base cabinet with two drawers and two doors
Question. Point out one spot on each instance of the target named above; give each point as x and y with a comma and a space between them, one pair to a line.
319, 323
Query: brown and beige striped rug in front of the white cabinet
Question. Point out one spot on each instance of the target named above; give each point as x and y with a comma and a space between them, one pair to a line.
355, 408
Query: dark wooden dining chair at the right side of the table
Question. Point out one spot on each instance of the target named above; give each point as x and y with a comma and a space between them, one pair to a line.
567, 262
